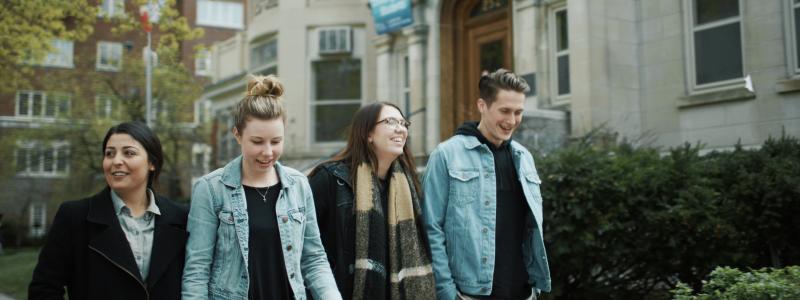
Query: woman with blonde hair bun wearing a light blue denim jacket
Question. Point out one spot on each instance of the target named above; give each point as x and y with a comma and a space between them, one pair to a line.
252, 224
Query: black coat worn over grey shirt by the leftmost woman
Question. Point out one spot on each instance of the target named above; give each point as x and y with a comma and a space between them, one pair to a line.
87, 252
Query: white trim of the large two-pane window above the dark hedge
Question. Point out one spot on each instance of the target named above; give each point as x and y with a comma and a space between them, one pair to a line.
691, 74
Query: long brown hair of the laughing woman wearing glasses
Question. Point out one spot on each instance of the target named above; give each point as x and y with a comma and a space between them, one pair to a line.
359, 149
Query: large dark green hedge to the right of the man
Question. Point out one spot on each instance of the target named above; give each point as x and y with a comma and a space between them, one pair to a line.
629, 223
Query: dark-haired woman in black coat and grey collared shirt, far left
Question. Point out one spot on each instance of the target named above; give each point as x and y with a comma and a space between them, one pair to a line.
122, 243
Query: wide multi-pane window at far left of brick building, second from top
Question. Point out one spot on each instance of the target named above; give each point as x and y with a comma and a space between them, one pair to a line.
38, 104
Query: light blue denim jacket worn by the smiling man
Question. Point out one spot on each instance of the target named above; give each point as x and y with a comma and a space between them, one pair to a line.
460, 217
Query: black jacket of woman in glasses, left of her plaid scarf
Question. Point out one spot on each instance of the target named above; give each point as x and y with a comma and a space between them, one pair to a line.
333, 199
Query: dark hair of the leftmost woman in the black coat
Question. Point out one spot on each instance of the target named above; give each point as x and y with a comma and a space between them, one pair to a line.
149, 140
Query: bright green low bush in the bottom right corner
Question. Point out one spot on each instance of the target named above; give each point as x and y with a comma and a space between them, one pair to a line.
730, 283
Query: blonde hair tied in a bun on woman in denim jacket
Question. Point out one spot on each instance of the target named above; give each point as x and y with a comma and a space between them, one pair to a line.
263, 101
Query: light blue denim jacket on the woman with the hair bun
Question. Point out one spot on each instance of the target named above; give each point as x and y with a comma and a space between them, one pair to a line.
217, 250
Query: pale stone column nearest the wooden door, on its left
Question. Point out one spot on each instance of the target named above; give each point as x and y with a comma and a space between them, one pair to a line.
417, 36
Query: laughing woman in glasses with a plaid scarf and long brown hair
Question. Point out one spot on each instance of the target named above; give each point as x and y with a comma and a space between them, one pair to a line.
368, 206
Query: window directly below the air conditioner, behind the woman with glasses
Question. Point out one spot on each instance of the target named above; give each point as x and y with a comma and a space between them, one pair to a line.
336, 96
